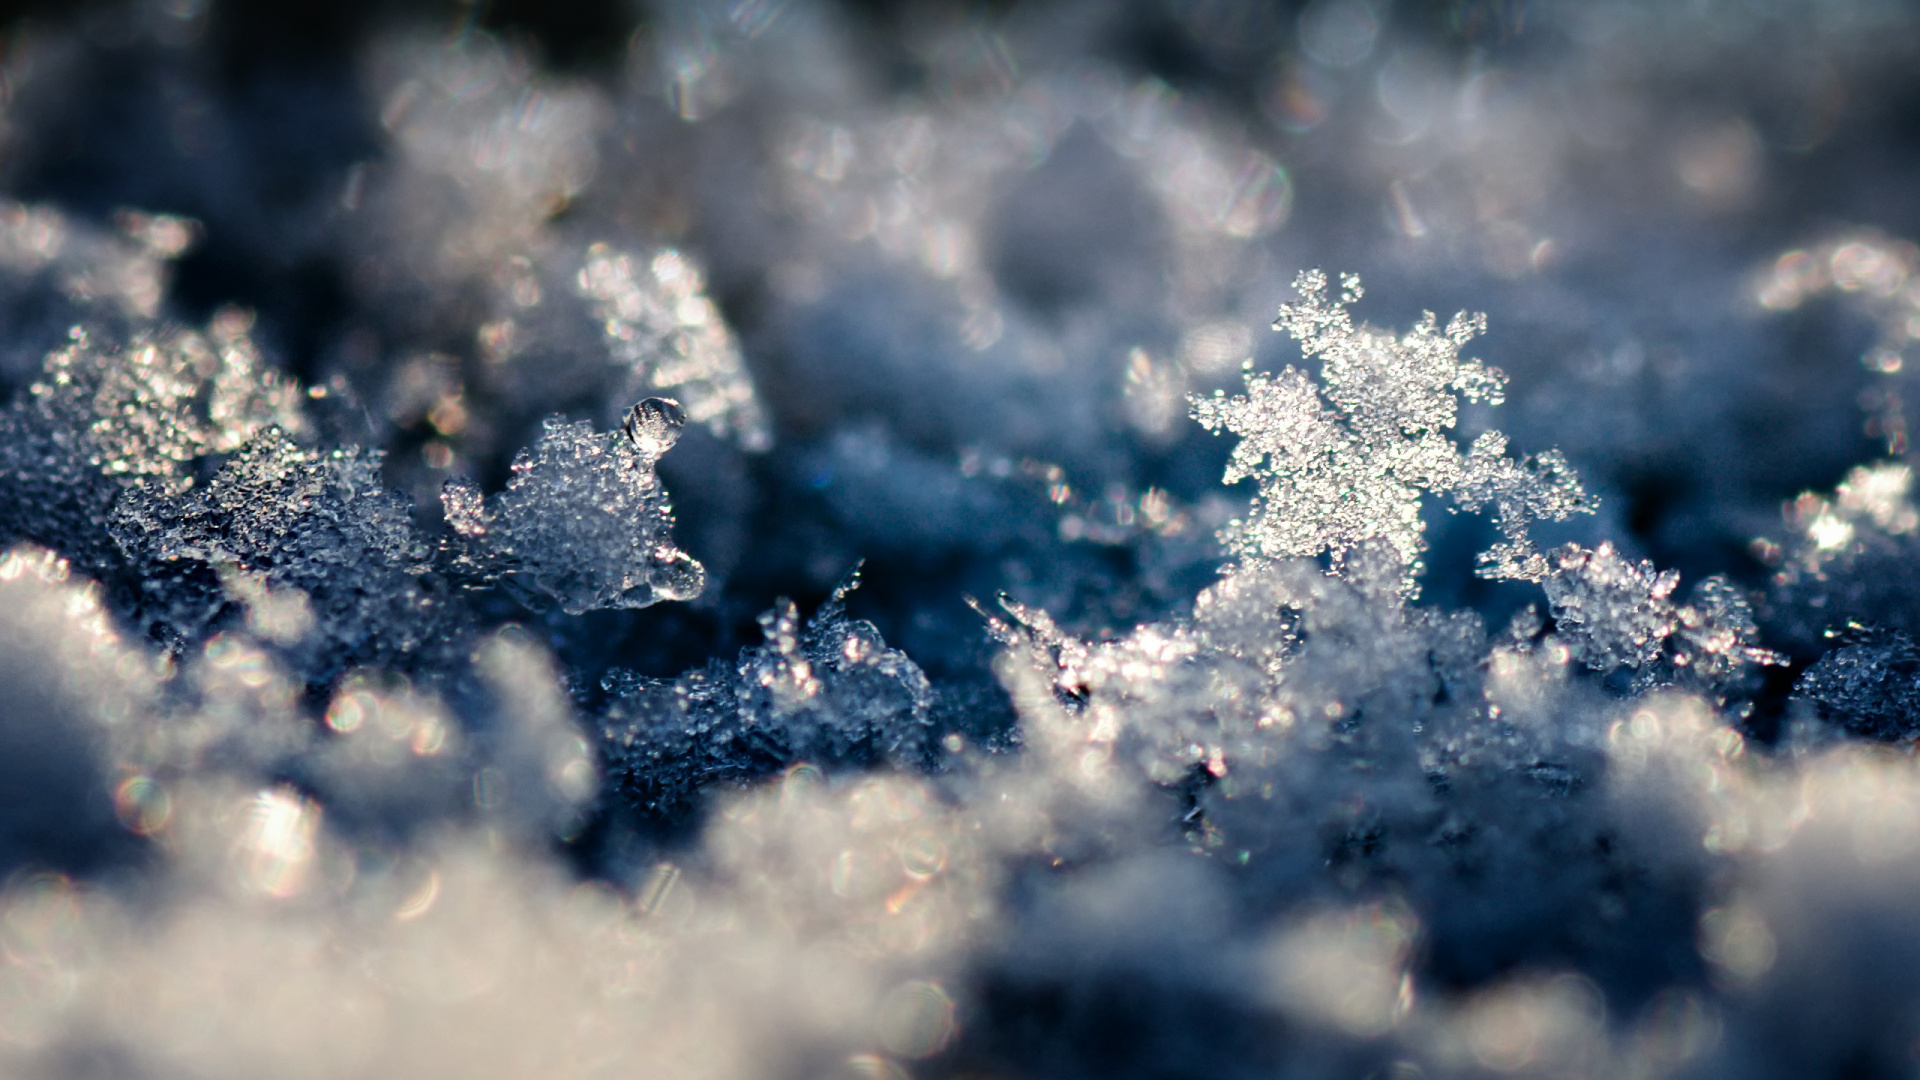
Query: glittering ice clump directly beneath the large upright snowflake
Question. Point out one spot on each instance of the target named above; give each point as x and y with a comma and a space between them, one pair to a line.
1274, 654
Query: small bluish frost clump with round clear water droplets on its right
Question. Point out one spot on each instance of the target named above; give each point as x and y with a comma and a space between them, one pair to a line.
585, 520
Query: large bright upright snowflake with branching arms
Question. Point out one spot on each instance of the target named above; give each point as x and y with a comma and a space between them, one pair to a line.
1355, 464
